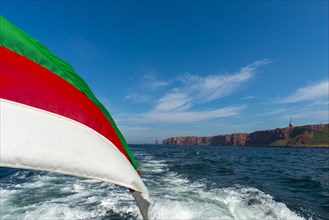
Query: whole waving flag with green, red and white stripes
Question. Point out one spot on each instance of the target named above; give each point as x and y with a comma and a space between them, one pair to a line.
50, 119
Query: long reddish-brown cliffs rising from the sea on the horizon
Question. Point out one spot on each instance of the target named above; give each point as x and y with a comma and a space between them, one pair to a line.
308, 135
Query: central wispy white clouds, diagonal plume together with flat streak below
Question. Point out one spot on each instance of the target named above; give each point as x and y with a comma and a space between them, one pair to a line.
176, 106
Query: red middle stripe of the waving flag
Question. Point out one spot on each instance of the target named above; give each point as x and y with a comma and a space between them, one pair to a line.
26, 82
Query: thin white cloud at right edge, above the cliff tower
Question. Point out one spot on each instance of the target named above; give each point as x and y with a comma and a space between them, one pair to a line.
309, 93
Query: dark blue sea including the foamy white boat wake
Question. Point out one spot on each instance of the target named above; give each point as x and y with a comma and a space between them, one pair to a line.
184, 182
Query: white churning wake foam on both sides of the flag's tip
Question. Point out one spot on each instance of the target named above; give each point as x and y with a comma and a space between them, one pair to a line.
173, 196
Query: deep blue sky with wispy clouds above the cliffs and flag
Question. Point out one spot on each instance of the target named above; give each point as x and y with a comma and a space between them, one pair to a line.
166, 68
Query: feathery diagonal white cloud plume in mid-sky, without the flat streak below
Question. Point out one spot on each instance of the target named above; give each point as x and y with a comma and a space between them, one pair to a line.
197, 89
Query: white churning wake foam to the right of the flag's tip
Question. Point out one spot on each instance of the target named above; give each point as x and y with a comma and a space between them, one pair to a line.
175, 197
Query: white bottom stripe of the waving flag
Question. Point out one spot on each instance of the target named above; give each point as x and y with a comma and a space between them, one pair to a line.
38, 139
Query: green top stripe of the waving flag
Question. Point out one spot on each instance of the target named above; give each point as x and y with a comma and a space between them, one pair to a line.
18, 41
